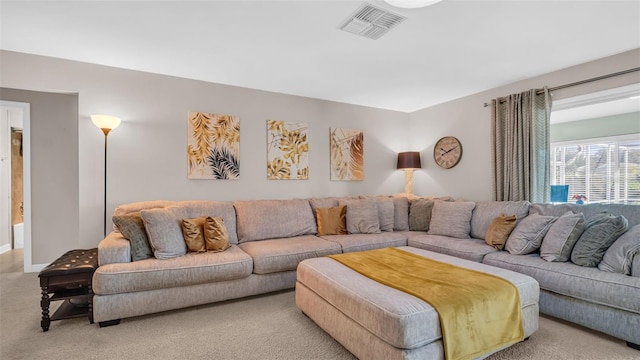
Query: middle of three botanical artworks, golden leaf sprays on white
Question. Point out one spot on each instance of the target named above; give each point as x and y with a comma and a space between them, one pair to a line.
287, 150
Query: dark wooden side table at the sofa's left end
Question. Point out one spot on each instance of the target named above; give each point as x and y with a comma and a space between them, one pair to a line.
68, 278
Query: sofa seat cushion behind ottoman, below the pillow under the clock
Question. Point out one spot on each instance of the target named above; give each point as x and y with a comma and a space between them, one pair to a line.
470, 249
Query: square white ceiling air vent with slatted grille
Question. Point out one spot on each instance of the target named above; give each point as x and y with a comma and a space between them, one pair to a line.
371, 22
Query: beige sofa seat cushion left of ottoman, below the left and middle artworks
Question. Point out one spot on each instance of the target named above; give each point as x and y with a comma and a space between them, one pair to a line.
276, 255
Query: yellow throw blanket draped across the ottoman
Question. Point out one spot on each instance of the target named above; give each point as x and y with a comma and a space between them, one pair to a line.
479, 313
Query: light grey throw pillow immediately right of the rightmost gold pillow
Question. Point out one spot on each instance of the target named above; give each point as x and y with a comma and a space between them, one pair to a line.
527, 236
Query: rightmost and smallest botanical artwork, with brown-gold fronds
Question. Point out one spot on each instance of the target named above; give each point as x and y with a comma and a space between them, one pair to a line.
347, 154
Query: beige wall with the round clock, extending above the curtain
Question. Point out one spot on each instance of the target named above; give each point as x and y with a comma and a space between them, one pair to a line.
467, 119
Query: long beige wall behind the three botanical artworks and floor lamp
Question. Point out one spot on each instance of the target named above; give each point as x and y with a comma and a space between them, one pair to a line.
147, 153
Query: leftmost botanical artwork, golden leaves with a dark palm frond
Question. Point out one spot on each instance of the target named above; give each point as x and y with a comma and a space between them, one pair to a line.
213, 146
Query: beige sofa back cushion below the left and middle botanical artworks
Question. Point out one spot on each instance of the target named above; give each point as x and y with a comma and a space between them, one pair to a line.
271, 219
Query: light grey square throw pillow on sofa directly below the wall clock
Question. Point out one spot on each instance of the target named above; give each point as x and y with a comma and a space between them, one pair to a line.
451, 218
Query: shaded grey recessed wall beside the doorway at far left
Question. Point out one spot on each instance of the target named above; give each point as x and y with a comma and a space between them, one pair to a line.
54, 171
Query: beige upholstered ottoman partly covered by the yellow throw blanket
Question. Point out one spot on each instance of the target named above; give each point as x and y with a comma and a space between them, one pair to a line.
374, 321
